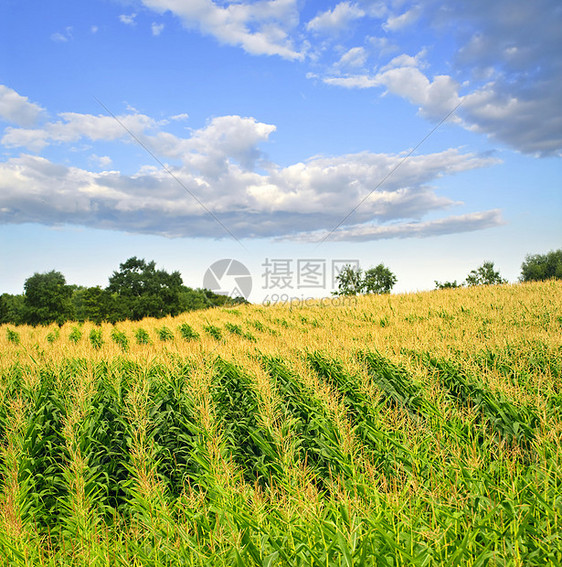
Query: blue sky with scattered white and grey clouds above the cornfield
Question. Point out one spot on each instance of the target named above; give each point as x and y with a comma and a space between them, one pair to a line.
187, 131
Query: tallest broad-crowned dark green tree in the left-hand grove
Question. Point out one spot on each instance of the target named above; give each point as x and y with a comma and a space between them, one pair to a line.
144, 291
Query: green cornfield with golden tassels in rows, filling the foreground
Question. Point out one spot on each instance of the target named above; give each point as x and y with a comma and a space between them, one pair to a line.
417, 429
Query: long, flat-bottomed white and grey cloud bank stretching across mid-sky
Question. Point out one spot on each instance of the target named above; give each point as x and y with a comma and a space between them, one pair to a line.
222, 166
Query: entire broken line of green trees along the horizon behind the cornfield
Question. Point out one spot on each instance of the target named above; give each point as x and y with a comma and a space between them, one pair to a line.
138, 289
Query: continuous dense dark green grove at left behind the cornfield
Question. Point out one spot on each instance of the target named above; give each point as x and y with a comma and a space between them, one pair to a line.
137, 290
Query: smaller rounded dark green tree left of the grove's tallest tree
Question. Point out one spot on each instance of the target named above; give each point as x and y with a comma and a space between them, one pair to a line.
47, 298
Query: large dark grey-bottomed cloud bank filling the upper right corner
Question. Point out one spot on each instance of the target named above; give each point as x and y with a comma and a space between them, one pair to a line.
506, 68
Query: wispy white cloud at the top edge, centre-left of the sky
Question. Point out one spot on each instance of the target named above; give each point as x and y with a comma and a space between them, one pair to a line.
260, 28
